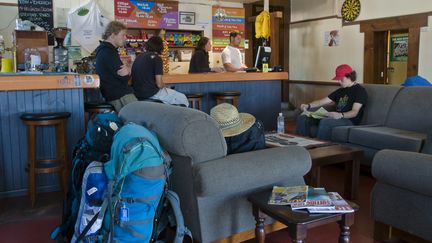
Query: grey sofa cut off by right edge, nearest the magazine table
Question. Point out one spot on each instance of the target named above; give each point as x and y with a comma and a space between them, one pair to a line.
402, 194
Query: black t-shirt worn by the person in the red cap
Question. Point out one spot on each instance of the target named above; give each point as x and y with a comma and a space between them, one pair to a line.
345, 98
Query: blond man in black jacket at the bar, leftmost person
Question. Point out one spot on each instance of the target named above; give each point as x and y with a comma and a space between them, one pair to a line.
113, 74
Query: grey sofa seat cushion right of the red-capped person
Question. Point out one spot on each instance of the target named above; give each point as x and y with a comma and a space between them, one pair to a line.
387, 138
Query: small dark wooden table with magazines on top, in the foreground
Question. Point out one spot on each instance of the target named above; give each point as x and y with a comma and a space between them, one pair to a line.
298, 222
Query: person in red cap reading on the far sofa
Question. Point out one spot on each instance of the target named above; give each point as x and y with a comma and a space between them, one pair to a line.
350, 100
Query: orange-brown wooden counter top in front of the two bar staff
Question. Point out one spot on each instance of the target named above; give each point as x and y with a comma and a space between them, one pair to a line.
223, 77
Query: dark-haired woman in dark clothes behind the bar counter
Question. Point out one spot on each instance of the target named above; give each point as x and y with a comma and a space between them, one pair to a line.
200, 59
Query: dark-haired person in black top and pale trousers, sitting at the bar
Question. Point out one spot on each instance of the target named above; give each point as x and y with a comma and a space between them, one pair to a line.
147, 71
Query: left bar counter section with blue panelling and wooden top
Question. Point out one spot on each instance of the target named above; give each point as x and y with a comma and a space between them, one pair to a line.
21, 93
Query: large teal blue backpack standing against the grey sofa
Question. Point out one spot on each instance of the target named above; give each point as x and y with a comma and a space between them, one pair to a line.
137, 187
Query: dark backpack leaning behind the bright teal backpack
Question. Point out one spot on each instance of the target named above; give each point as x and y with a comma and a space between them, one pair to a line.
94, 146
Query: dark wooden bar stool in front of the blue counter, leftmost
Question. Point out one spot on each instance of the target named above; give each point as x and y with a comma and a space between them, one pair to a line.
58, 165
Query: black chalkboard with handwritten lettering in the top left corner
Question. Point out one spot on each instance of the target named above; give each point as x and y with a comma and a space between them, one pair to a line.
39, 12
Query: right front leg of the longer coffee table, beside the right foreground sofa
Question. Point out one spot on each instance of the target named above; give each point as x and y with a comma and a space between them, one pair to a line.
352, 174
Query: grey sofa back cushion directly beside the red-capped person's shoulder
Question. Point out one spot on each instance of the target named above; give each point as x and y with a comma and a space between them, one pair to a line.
380, 98
